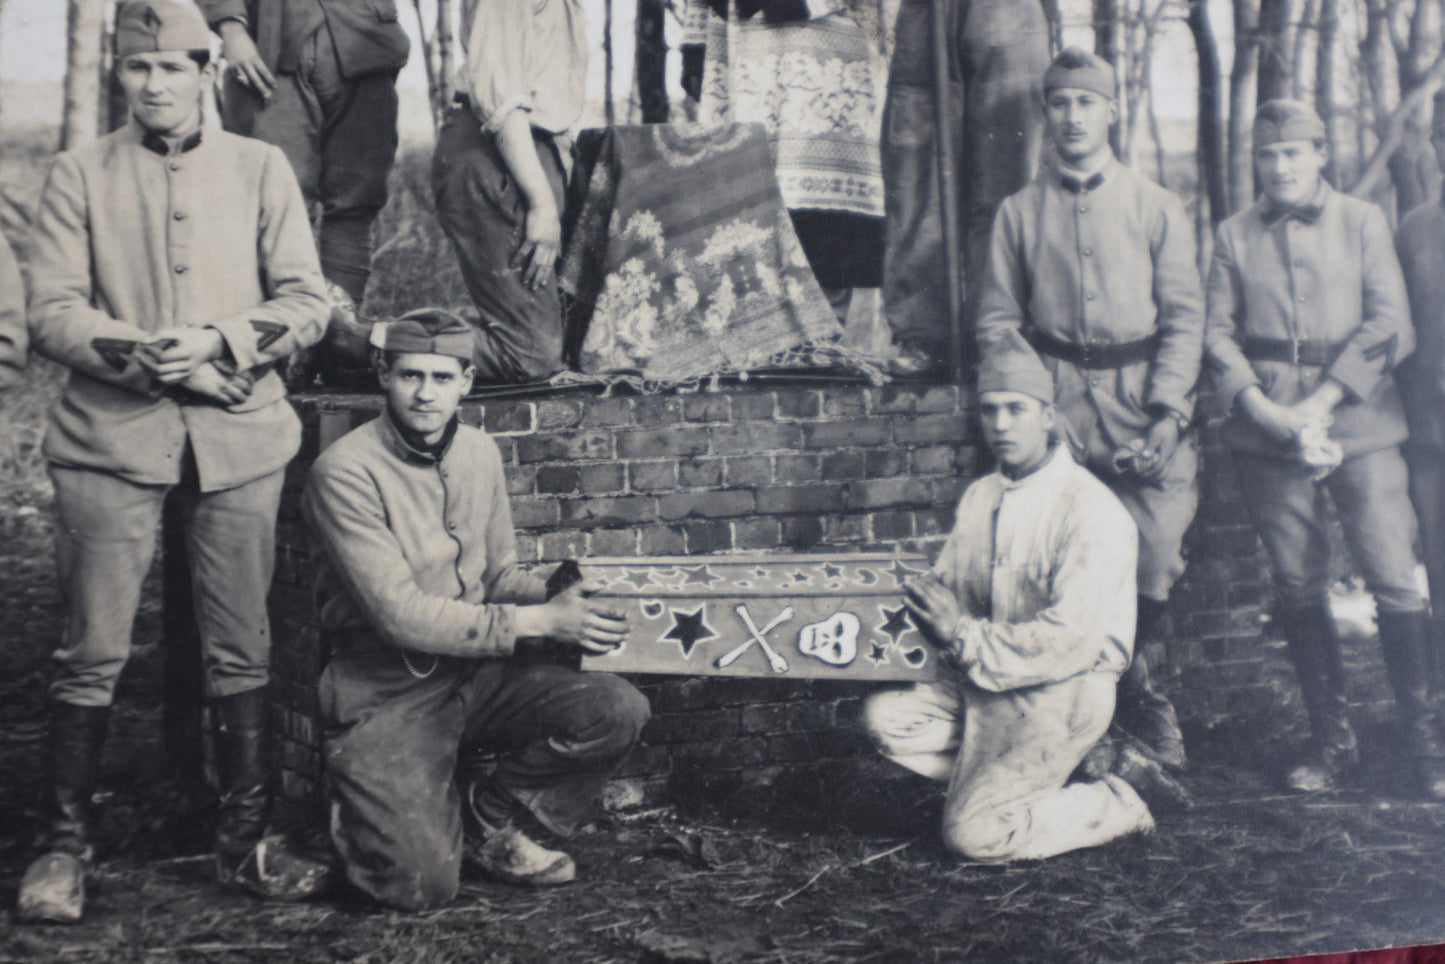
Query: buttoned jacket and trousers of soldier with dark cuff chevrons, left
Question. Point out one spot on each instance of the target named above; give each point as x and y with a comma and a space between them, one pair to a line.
131, 241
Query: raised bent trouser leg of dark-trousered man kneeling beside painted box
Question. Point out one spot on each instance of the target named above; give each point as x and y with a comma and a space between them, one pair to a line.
560, 735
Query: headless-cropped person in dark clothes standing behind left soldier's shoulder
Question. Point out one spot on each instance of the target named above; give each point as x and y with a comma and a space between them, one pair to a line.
319, 80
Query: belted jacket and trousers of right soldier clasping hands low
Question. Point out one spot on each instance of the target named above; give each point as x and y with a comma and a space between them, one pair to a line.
1326, 274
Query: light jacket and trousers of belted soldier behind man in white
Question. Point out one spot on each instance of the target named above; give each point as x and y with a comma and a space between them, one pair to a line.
1108, 264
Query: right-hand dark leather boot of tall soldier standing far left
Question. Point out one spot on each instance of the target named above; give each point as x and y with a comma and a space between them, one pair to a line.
241, 762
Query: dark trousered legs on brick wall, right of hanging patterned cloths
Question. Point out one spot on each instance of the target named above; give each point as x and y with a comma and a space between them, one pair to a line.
998, 50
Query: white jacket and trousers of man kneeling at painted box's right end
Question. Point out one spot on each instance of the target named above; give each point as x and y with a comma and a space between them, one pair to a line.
1044, 574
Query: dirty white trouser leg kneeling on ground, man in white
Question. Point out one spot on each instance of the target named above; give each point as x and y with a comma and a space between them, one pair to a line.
1008, 799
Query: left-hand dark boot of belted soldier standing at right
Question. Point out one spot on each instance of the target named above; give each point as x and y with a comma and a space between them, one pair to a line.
1314, 648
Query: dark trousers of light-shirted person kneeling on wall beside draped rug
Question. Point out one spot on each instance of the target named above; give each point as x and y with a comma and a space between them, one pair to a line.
519, 335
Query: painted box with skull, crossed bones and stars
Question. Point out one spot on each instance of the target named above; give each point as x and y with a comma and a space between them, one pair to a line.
755, 615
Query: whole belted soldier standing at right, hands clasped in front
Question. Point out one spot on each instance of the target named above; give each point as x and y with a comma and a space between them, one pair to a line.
1307, 320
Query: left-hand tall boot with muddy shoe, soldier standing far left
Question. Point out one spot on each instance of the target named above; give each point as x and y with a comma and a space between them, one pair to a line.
54, 885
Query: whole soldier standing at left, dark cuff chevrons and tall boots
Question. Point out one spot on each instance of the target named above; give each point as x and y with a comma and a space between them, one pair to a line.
171, 270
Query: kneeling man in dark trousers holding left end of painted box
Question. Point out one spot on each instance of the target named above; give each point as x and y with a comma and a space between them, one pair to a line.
431, 621
